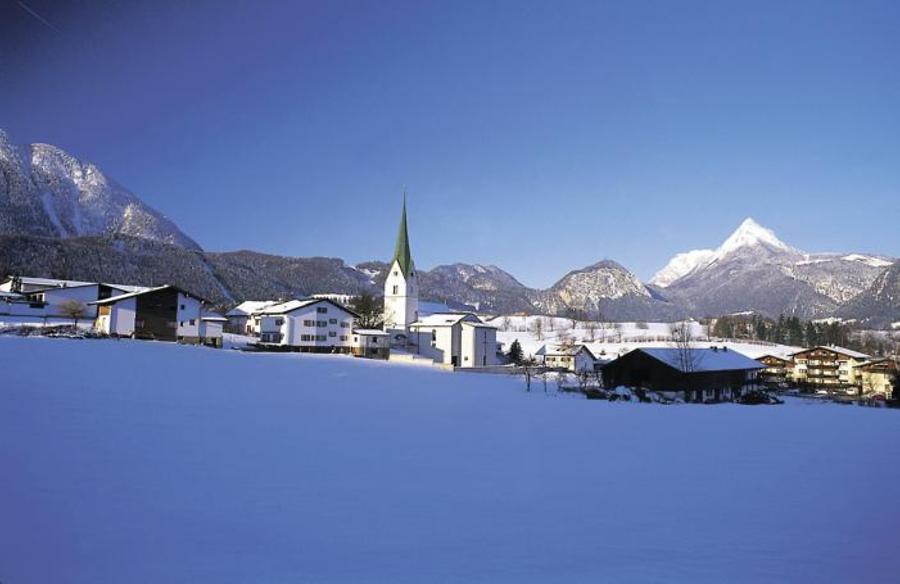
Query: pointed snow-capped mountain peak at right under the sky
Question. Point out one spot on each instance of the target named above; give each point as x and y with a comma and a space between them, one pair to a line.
754, 270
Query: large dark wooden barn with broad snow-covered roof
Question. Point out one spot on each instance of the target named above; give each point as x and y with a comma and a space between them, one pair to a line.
695, 375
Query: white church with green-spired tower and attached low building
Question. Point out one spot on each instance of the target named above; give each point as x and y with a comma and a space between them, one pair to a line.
455, 339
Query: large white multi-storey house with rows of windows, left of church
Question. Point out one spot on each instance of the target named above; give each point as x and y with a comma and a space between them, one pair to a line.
310, 325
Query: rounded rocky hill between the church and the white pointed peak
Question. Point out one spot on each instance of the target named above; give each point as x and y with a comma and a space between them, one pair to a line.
606, 288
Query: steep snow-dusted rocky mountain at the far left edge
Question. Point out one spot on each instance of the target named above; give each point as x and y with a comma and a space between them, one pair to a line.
46, 192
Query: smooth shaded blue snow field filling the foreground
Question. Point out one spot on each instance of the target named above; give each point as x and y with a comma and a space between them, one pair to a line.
141, 462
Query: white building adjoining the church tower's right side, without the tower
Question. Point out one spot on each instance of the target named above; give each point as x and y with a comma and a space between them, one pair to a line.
457, 339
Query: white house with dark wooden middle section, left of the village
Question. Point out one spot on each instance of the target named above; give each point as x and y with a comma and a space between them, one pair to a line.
164, 313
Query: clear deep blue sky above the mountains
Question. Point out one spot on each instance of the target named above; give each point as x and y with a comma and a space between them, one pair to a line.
538, 136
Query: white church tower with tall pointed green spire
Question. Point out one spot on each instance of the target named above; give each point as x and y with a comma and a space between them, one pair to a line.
401, 288
